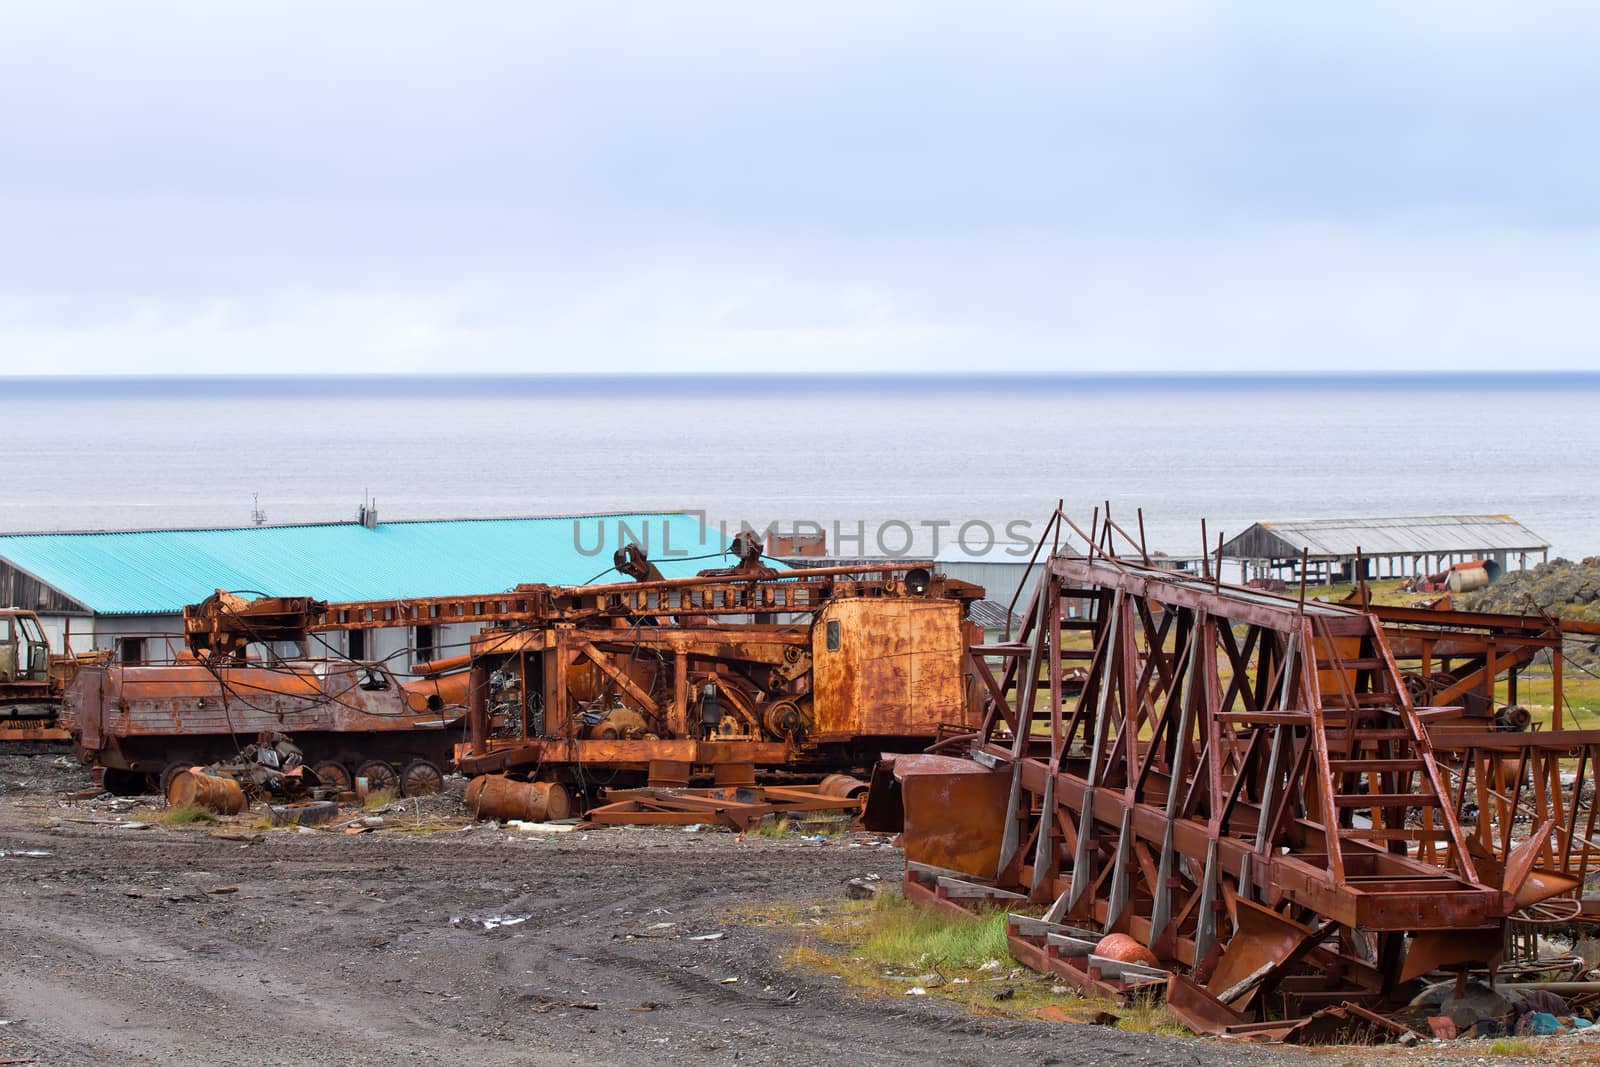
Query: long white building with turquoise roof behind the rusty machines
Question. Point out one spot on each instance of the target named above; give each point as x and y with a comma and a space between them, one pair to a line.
127, 591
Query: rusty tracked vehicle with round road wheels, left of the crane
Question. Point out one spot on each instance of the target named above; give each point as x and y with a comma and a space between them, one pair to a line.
145, 724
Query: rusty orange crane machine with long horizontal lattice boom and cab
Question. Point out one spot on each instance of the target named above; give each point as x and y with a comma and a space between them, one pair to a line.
662, 682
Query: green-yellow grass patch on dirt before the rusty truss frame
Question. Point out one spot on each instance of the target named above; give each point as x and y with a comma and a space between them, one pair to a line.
887, 948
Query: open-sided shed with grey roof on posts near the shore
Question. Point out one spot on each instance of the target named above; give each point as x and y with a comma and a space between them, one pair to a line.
1388, 548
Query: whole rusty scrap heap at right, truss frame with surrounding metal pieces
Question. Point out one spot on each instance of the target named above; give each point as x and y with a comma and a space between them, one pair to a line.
1247, 788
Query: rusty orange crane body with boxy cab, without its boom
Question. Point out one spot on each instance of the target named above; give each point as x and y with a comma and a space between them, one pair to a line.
866, 671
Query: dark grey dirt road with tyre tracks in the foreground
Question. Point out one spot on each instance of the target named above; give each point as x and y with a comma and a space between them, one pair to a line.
166, 946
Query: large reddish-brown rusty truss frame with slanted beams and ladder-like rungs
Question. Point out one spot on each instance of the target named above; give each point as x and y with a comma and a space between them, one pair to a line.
1234, 764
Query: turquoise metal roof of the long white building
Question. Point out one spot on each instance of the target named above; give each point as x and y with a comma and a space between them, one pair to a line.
162, 570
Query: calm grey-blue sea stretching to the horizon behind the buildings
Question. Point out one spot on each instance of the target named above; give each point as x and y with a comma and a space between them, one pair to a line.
110, 455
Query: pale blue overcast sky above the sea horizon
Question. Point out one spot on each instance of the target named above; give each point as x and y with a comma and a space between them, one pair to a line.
609, 188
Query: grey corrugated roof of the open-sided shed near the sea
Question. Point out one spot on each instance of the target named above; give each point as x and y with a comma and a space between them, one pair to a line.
1406, 535
